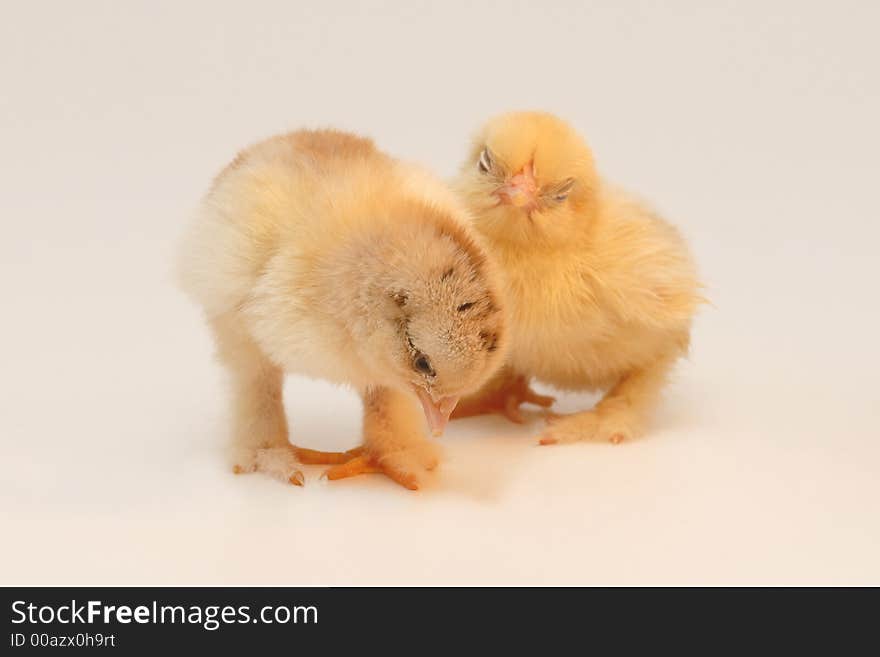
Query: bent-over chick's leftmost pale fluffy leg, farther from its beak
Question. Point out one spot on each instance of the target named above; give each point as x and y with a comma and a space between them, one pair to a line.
259, 427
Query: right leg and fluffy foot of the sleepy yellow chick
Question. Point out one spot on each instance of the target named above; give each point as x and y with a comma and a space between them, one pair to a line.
622, 412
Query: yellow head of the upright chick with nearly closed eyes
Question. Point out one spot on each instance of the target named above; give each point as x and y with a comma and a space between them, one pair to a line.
529, 178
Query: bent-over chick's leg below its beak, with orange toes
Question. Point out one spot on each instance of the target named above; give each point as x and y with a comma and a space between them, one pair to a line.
394, 441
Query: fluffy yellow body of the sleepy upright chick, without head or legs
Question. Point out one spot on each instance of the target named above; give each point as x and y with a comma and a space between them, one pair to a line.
581, 316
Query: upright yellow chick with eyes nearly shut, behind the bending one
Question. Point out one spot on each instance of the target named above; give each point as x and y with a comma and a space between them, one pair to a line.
600, 290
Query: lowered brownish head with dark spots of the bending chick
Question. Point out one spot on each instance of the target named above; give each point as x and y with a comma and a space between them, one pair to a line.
443, 330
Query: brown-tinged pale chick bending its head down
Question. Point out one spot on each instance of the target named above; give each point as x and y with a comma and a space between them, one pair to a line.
315, 253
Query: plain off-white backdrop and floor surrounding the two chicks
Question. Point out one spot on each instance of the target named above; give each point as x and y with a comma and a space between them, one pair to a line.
752, 125
